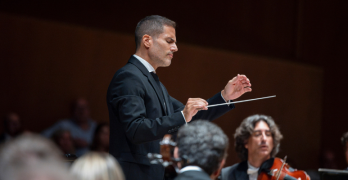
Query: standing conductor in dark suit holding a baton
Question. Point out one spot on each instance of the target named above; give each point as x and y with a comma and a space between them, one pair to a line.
140, 109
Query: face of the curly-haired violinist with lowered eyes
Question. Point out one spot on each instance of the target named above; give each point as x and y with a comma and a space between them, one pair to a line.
260, 142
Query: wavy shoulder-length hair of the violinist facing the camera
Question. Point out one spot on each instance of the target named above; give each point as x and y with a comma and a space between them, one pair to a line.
246, 128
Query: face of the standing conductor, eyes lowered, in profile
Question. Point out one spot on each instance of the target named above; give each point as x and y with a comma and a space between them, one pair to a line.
163, 47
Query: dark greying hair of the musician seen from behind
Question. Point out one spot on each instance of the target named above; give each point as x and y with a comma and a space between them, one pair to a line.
202, 143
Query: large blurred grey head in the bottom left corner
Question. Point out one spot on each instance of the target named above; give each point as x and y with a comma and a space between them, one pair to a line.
30, 156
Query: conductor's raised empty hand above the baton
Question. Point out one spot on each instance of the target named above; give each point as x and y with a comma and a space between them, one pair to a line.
236, 87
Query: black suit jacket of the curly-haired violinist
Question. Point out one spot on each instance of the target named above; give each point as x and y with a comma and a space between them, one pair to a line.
239, 171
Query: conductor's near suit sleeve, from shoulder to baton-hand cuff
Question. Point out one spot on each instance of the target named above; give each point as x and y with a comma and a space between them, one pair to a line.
127, 98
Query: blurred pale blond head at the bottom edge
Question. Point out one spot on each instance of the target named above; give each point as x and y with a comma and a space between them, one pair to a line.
97, 166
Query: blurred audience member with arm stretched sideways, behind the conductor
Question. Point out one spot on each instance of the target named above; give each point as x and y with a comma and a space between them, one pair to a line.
80, 125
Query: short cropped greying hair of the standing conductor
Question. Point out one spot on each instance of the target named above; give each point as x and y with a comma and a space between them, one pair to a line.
151, 25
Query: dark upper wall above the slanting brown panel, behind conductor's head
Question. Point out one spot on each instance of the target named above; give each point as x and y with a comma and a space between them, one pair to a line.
259, 27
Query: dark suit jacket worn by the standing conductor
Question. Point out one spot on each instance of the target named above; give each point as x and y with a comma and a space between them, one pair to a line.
138, 119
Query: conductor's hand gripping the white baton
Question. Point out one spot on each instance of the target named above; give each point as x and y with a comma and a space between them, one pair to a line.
192, 106
